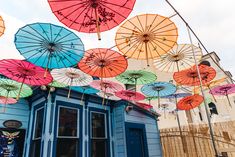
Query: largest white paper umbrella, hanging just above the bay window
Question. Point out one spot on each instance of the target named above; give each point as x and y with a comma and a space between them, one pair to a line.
71, 77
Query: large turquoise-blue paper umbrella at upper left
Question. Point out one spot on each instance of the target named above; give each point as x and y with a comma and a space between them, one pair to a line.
49, 46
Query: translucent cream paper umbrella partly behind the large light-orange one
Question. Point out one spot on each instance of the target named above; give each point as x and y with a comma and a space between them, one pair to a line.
180, 57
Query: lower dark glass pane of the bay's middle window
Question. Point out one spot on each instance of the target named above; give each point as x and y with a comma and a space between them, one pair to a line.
67, 147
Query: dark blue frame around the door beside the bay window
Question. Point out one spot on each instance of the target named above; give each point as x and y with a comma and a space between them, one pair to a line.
128, 126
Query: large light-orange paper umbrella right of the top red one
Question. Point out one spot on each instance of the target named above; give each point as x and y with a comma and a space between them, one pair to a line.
146, 36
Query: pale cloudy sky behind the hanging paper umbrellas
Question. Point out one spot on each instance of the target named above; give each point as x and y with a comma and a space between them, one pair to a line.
212, 20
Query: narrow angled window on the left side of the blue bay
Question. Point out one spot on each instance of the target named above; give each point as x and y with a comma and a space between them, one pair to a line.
37, 134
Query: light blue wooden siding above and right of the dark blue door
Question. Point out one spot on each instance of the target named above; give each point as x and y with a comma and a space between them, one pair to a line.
152, 132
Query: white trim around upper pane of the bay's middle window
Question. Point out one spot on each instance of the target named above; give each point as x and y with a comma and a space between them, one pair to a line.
78, 127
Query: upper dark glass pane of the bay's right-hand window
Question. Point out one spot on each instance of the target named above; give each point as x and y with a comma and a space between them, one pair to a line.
98, 125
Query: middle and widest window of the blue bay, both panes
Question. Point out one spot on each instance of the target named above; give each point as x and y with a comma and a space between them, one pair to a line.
68, 133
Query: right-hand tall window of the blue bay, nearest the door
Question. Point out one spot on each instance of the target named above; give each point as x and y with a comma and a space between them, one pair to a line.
99, 140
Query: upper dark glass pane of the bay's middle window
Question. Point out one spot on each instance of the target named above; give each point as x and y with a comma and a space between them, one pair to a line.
68, 122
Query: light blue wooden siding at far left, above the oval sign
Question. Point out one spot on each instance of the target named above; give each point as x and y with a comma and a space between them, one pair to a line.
18, 111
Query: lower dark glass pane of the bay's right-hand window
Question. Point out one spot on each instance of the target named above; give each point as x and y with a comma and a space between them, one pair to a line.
98, 148
